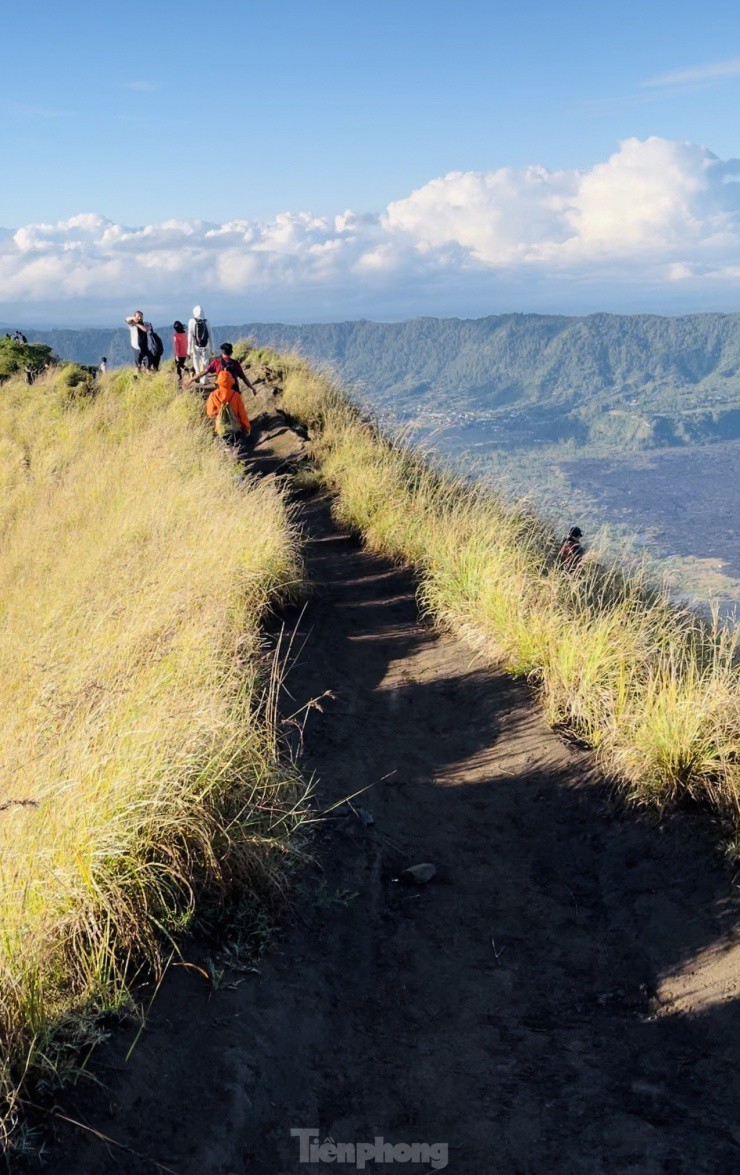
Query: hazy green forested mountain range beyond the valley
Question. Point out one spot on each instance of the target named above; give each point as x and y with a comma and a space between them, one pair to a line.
640, 381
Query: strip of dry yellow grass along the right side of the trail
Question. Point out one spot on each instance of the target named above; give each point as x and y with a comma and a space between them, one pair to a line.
652, 688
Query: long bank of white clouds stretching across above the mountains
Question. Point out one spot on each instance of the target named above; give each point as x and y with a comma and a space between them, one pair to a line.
657, 226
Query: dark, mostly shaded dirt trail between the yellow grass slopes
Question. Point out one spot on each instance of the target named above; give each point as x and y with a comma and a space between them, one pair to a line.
562, 998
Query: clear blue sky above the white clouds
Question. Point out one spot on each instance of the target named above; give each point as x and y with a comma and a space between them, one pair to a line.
239, 112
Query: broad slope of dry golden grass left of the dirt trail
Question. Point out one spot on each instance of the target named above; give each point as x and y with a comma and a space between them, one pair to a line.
139, 757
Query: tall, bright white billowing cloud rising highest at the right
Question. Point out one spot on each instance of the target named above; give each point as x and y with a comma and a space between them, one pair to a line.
652, 197
